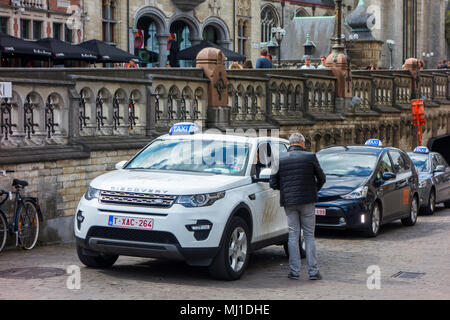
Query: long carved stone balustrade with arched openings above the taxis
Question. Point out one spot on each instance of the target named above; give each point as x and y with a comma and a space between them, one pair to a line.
77, 107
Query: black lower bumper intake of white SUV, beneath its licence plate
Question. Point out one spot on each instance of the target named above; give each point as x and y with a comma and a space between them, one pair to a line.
149, 236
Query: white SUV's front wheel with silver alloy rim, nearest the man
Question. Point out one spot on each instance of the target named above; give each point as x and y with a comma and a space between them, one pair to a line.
235, 250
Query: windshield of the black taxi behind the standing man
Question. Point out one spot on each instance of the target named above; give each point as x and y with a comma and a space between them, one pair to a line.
347, 164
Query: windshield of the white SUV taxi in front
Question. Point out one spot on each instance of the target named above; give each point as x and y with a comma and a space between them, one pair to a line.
207, 156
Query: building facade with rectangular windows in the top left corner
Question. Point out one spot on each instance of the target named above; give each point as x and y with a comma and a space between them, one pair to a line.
37, 19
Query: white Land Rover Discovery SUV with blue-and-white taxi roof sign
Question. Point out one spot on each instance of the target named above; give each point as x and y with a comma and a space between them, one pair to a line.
202, 198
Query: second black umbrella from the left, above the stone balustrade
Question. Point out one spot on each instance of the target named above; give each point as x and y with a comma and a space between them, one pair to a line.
62, 50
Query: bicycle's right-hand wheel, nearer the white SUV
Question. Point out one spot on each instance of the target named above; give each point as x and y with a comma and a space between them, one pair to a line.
28, 225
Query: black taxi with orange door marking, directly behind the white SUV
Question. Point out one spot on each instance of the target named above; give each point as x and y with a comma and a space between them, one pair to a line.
367, 186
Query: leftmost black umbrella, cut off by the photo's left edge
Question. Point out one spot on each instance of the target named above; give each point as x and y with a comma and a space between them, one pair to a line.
10, 45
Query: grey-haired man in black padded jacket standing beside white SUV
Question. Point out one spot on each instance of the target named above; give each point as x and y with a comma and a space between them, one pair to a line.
299, 178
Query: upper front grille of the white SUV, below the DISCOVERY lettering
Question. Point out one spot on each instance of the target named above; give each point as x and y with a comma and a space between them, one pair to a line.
137, 199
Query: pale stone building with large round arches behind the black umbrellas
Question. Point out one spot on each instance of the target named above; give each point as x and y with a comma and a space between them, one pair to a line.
240, 25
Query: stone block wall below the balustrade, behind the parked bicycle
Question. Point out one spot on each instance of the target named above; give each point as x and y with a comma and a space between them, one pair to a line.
59, 185
